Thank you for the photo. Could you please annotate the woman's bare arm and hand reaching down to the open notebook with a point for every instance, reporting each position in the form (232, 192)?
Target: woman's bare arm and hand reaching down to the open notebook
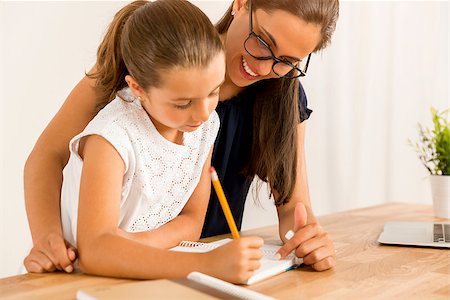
(311, 241)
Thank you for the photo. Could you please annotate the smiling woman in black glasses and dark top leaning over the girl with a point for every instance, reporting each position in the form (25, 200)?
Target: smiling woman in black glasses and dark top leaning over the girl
(262, 105)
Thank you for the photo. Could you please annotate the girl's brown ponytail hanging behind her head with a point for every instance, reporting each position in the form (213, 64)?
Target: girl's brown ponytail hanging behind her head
(110, 69)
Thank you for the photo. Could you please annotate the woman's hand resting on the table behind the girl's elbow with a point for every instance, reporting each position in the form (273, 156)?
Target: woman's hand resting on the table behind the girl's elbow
(51, 254)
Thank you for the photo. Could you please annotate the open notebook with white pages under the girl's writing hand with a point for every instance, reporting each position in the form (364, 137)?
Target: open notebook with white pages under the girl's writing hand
(269, 266)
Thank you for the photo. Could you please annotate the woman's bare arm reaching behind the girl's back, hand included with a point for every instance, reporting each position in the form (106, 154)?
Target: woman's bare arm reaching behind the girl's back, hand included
(43, 179)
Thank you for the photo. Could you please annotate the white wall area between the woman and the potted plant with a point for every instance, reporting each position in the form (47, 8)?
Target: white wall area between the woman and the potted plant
(389, 62)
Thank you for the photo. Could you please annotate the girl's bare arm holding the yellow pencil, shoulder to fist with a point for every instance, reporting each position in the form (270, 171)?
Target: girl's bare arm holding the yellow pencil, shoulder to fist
(105, 251)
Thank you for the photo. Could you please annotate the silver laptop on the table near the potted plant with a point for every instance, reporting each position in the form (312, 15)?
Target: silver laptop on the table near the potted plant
(426, 234)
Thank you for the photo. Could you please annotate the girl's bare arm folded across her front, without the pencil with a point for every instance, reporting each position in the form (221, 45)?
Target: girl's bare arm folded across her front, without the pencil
(188, 224)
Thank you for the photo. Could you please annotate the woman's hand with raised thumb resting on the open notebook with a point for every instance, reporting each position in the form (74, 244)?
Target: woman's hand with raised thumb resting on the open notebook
(310, 242)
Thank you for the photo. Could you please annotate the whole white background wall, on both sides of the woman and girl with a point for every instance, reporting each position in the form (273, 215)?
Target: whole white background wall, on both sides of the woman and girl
(388, 63)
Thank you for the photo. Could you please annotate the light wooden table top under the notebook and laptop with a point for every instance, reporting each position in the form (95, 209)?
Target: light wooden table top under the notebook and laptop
(364, 268)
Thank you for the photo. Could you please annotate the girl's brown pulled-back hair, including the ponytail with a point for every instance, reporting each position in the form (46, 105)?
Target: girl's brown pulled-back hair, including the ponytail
(146, 38)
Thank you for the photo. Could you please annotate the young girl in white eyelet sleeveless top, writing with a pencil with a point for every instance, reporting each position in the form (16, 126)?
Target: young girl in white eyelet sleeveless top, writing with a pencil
(143, 162)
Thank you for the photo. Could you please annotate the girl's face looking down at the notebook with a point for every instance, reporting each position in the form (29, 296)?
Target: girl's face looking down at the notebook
(186, 97)
